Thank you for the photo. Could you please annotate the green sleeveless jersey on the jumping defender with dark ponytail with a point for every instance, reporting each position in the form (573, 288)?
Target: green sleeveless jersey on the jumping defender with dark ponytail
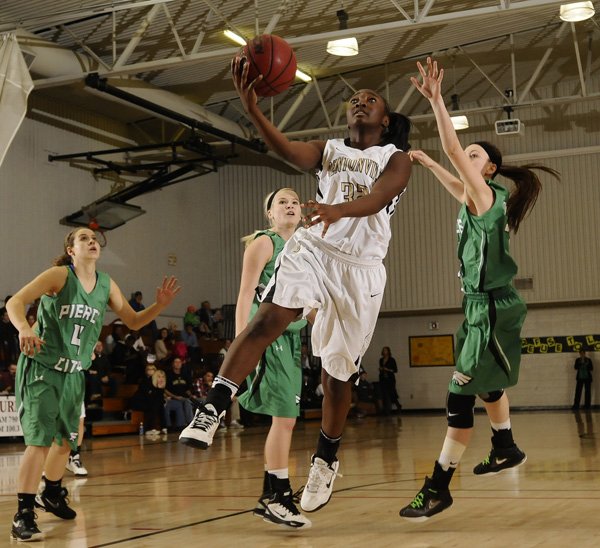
(485, 261)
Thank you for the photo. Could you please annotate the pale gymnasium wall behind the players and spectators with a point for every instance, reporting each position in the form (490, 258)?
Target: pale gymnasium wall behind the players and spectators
(201, 221)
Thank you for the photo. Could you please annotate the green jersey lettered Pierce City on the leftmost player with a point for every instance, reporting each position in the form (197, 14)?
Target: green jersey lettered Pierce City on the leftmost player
(70, 323)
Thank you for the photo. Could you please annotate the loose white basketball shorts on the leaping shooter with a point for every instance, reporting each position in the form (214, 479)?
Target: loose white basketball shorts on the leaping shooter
(346, 291)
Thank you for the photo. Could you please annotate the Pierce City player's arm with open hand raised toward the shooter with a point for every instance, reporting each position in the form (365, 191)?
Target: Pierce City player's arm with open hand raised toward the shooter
(136, 320)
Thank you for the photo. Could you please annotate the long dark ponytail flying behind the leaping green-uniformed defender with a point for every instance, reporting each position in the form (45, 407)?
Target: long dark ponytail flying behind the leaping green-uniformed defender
(527, 189)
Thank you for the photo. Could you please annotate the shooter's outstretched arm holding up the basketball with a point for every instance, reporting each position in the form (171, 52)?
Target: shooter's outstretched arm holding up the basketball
(306, 155)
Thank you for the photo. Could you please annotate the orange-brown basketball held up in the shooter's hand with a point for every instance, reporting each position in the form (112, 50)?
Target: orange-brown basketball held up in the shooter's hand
(275, 59)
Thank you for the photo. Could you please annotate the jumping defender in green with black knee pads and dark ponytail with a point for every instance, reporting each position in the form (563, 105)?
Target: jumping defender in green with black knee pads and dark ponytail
(488, 349)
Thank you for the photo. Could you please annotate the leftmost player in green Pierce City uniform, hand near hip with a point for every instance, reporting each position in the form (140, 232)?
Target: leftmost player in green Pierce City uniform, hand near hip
(50, 382)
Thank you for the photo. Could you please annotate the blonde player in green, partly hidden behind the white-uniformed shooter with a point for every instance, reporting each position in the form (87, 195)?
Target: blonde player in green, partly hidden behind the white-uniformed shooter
(274, 386)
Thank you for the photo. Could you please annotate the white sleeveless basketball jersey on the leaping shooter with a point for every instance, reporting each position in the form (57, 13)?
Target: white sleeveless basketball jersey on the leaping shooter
(347, 174)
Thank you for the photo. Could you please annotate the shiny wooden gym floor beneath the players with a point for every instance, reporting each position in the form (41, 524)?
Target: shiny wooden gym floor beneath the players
(142, 493)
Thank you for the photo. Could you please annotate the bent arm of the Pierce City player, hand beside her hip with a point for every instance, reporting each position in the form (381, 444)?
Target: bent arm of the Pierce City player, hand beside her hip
(49, 282)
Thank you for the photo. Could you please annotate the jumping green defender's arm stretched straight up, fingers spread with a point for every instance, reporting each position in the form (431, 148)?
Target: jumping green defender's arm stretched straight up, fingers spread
(478, 195)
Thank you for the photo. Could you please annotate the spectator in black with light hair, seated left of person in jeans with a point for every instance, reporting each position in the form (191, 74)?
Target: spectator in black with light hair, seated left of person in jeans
(150, 398)
